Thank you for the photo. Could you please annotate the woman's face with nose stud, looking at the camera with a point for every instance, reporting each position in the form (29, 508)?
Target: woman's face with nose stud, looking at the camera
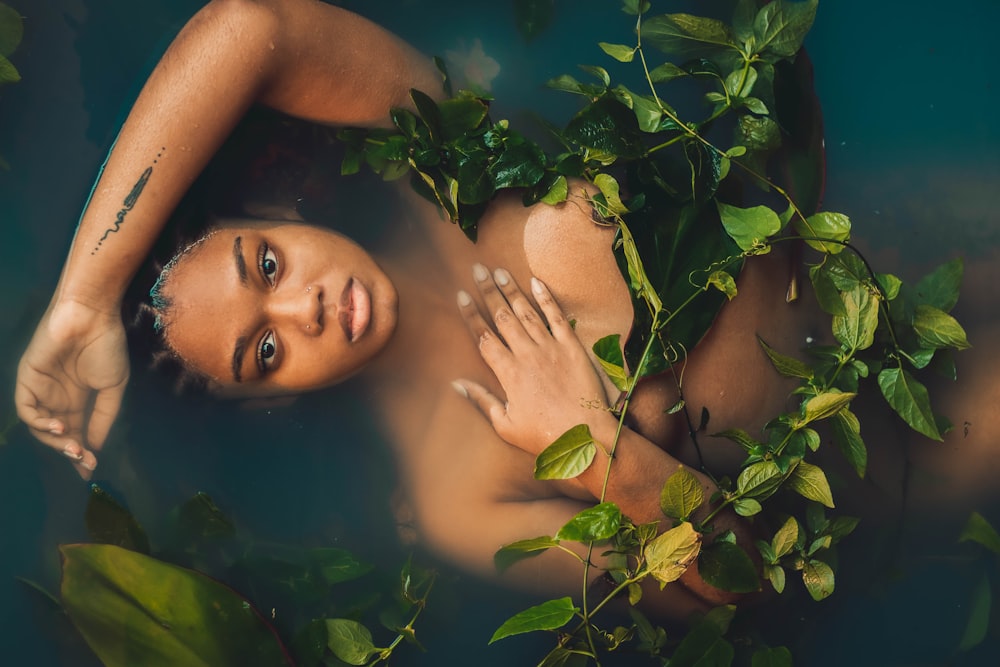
(267, 308)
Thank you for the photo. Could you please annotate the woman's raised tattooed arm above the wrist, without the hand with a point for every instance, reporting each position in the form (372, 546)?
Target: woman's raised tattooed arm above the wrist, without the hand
(301, 57)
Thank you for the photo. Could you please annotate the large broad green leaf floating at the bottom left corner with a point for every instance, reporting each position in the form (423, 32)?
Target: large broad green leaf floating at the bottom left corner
(132, 609)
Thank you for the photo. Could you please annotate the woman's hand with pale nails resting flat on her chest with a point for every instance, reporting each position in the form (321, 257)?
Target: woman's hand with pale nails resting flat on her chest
(547, 376)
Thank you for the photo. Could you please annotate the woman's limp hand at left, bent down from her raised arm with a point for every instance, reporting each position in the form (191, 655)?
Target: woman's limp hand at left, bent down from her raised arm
(71, 379)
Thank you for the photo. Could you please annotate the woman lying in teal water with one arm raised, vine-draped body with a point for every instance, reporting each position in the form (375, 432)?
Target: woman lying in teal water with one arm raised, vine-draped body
(265, 308)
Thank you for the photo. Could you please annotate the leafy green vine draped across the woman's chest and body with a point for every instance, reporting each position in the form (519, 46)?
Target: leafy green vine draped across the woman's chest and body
(684, 231)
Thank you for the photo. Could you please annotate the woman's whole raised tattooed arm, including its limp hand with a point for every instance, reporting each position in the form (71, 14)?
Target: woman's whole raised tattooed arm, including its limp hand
(302, 57)
